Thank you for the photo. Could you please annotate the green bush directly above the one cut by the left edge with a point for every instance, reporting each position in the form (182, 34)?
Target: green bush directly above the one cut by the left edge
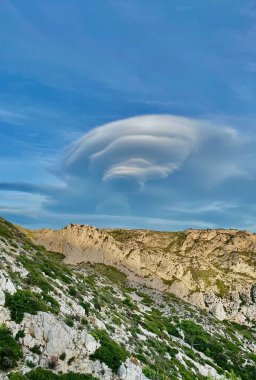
(23, 301)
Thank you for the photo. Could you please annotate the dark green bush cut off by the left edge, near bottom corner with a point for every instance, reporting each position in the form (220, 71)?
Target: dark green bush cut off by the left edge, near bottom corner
(10, 349)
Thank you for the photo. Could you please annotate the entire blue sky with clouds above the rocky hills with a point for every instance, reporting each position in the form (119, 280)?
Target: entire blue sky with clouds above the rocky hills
(128, 113)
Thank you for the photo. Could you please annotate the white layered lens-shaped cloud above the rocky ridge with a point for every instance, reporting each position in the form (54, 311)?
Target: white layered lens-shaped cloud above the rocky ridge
(140, 148)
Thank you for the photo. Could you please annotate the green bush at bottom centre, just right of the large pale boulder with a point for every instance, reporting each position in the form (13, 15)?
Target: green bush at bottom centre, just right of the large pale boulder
(109, 352)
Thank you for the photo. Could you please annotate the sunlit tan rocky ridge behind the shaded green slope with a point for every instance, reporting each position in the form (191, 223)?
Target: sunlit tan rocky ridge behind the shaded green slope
(212, 269)
